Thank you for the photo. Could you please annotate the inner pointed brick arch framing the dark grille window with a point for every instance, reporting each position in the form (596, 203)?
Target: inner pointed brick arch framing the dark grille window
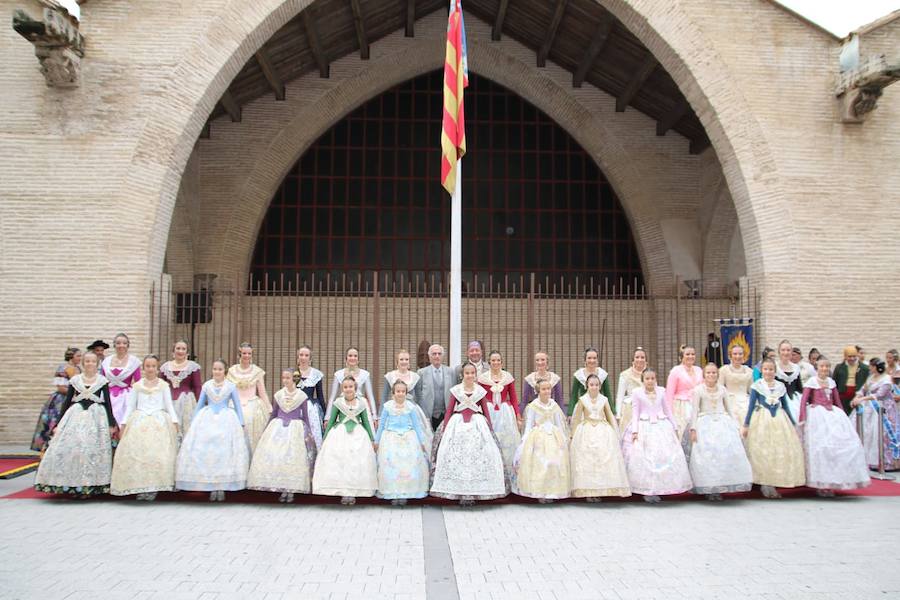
(503, 63)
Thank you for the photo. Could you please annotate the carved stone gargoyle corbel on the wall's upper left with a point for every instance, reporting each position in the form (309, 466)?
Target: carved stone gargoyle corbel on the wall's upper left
(58, 44)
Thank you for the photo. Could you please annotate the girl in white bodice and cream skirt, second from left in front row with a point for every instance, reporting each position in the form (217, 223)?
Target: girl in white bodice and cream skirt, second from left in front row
(145, 458)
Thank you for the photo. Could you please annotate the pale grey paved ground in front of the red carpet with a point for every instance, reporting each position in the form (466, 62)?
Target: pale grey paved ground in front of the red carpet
(791, 549)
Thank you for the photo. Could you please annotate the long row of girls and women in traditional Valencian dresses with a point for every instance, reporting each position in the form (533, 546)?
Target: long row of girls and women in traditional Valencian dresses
(710, 431)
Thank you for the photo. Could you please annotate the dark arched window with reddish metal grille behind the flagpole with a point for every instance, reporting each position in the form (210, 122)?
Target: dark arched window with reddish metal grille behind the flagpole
(365, 198)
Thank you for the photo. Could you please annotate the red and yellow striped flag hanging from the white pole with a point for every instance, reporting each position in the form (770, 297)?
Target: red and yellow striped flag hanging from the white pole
(456, 78)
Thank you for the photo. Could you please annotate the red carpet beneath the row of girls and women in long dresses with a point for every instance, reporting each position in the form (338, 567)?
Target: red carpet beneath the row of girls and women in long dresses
(878, 488)
